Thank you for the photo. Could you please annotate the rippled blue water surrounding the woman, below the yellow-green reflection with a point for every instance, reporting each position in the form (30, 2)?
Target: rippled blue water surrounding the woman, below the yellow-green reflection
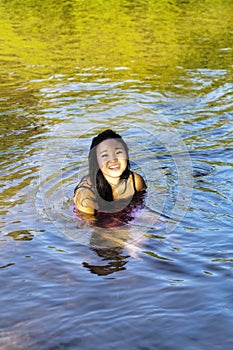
(67, 284)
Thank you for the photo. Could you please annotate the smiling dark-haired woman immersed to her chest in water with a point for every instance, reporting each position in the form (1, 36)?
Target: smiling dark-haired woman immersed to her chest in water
(110, 185)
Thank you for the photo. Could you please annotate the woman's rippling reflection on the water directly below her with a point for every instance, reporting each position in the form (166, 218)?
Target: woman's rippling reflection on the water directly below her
(111, 236)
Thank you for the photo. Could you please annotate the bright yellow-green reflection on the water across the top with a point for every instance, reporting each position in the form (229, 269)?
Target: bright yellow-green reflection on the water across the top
(149, 37)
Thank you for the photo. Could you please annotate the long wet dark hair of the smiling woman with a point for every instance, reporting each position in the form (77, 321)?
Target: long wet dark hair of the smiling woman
(100, 184)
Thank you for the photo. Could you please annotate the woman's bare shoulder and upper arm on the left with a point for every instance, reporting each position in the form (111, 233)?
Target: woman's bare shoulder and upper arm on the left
(84, 198)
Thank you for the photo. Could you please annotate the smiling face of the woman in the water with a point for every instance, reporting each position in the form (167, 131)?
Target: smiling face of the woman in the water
(112, 158)
